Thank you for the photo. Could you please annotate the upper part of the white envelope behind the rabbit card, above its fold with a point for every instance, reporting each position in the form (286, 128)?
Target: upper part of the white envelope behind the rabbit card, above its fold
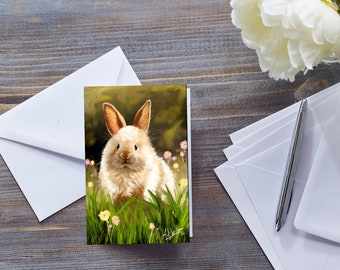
(53, 119)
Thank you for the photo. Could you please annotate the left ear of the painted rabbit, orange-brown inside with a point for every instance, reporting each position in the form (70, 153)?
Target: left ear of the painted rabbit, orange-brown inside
(113, 119)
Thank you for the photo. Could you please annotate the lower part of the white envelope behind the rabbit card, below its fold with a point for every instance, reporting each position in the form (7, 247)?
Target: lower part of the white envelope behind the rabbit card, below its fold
(49, 181)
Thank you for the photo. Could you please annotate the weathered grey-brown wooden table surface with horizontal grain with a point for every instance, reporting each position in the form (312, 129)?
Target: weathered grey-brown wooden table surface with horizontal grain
(166, 42)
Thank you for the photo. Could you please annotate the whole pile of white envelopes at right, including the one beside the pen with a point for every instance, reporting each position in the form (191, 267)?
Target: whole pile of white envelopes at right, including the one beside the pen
(253, 177)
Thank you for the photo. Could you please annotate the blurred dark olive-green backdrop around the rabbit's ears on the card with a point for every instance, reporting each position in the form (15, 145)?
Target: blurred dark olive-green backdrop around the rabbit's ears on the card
(168, 125)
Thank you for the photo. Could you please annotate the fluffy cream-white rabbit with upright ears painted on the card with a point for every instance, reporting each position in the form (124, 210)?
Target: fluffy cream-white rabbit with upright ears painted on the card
(130, 166)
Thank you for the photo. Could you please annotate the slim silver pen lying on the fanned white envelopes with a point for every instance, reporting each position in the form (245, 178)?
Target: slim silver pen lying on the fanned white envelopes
(288, 181)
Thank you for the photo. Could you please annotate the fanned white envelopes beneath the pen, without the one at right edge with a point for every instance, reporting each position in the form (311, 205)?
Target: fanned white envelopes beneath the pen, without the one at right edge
(255, 170)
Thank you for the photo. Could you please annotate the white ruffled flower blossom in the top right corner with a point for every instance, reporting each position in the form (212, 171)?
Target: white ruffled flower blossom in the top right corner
(289, 36)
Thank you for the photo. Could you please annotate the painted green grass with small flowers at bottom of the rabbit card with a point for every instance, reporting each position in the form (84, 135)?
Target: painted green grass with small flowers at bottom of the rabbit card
(134, 221)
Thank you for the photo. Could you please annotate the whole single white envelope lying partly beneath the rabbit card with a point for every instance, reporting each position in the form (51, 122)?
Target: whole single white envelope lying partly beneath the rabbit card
(42, 139)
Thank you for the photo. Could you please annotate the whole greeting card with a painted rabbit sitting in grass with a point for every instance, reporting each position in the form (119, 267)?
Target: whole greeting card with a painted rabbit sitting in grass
(137, 164)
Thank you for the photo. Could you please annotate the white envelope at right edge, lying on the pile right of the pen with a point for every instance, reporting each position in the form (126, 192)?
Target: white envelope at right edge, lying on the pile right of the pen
(318, 212)
